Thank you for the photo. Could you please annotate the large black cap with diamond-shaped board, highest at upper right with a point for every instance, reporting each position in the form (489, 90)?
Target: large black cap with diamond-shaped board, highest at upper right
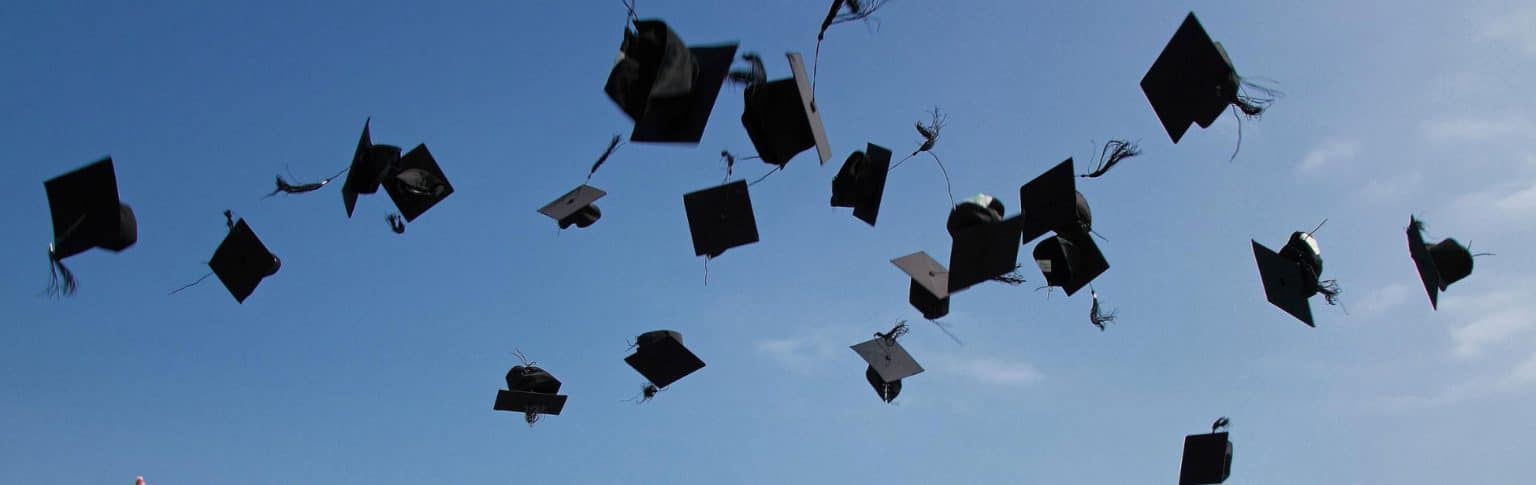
(1191, 82)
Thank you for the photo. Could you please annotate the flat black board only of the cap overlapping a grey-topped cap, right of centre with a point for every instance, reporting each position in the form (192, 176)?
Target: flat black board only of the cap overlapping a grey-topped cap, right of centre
(984, 252)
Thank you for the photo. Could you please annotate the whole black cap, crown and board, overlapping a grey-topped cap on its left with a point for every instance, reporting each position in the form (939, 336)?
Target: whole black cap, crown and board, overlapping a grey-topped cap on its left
(985, 246)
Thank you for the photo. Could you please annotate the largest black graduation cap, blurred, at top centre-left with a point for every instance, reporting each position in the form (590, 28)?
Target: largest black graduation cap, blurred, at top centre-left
(666, 87)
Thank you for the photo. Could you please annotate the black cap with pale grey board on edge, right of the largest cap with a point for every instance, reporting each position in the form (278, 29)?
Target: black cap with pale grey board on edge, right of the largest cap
(783, 120)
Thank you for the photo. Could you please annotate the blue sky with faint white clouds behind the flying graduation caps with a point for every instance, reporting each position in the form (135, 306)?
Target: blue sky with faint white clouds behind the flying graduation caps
(374, 358)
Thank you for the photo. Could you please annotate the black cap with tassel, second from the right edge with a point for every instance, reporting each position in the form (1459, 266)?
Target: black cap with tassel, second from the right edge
(1293, 275)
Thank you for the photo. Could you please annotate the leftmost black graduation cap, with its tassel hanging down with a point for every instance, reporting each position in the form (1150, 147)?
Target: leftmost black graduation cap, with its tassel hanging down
(87, 214)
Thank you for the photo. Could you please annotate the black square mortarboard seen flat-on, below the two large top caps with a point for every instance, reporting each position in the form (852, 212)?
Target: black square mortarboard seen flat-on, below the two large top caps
(721, 219)
